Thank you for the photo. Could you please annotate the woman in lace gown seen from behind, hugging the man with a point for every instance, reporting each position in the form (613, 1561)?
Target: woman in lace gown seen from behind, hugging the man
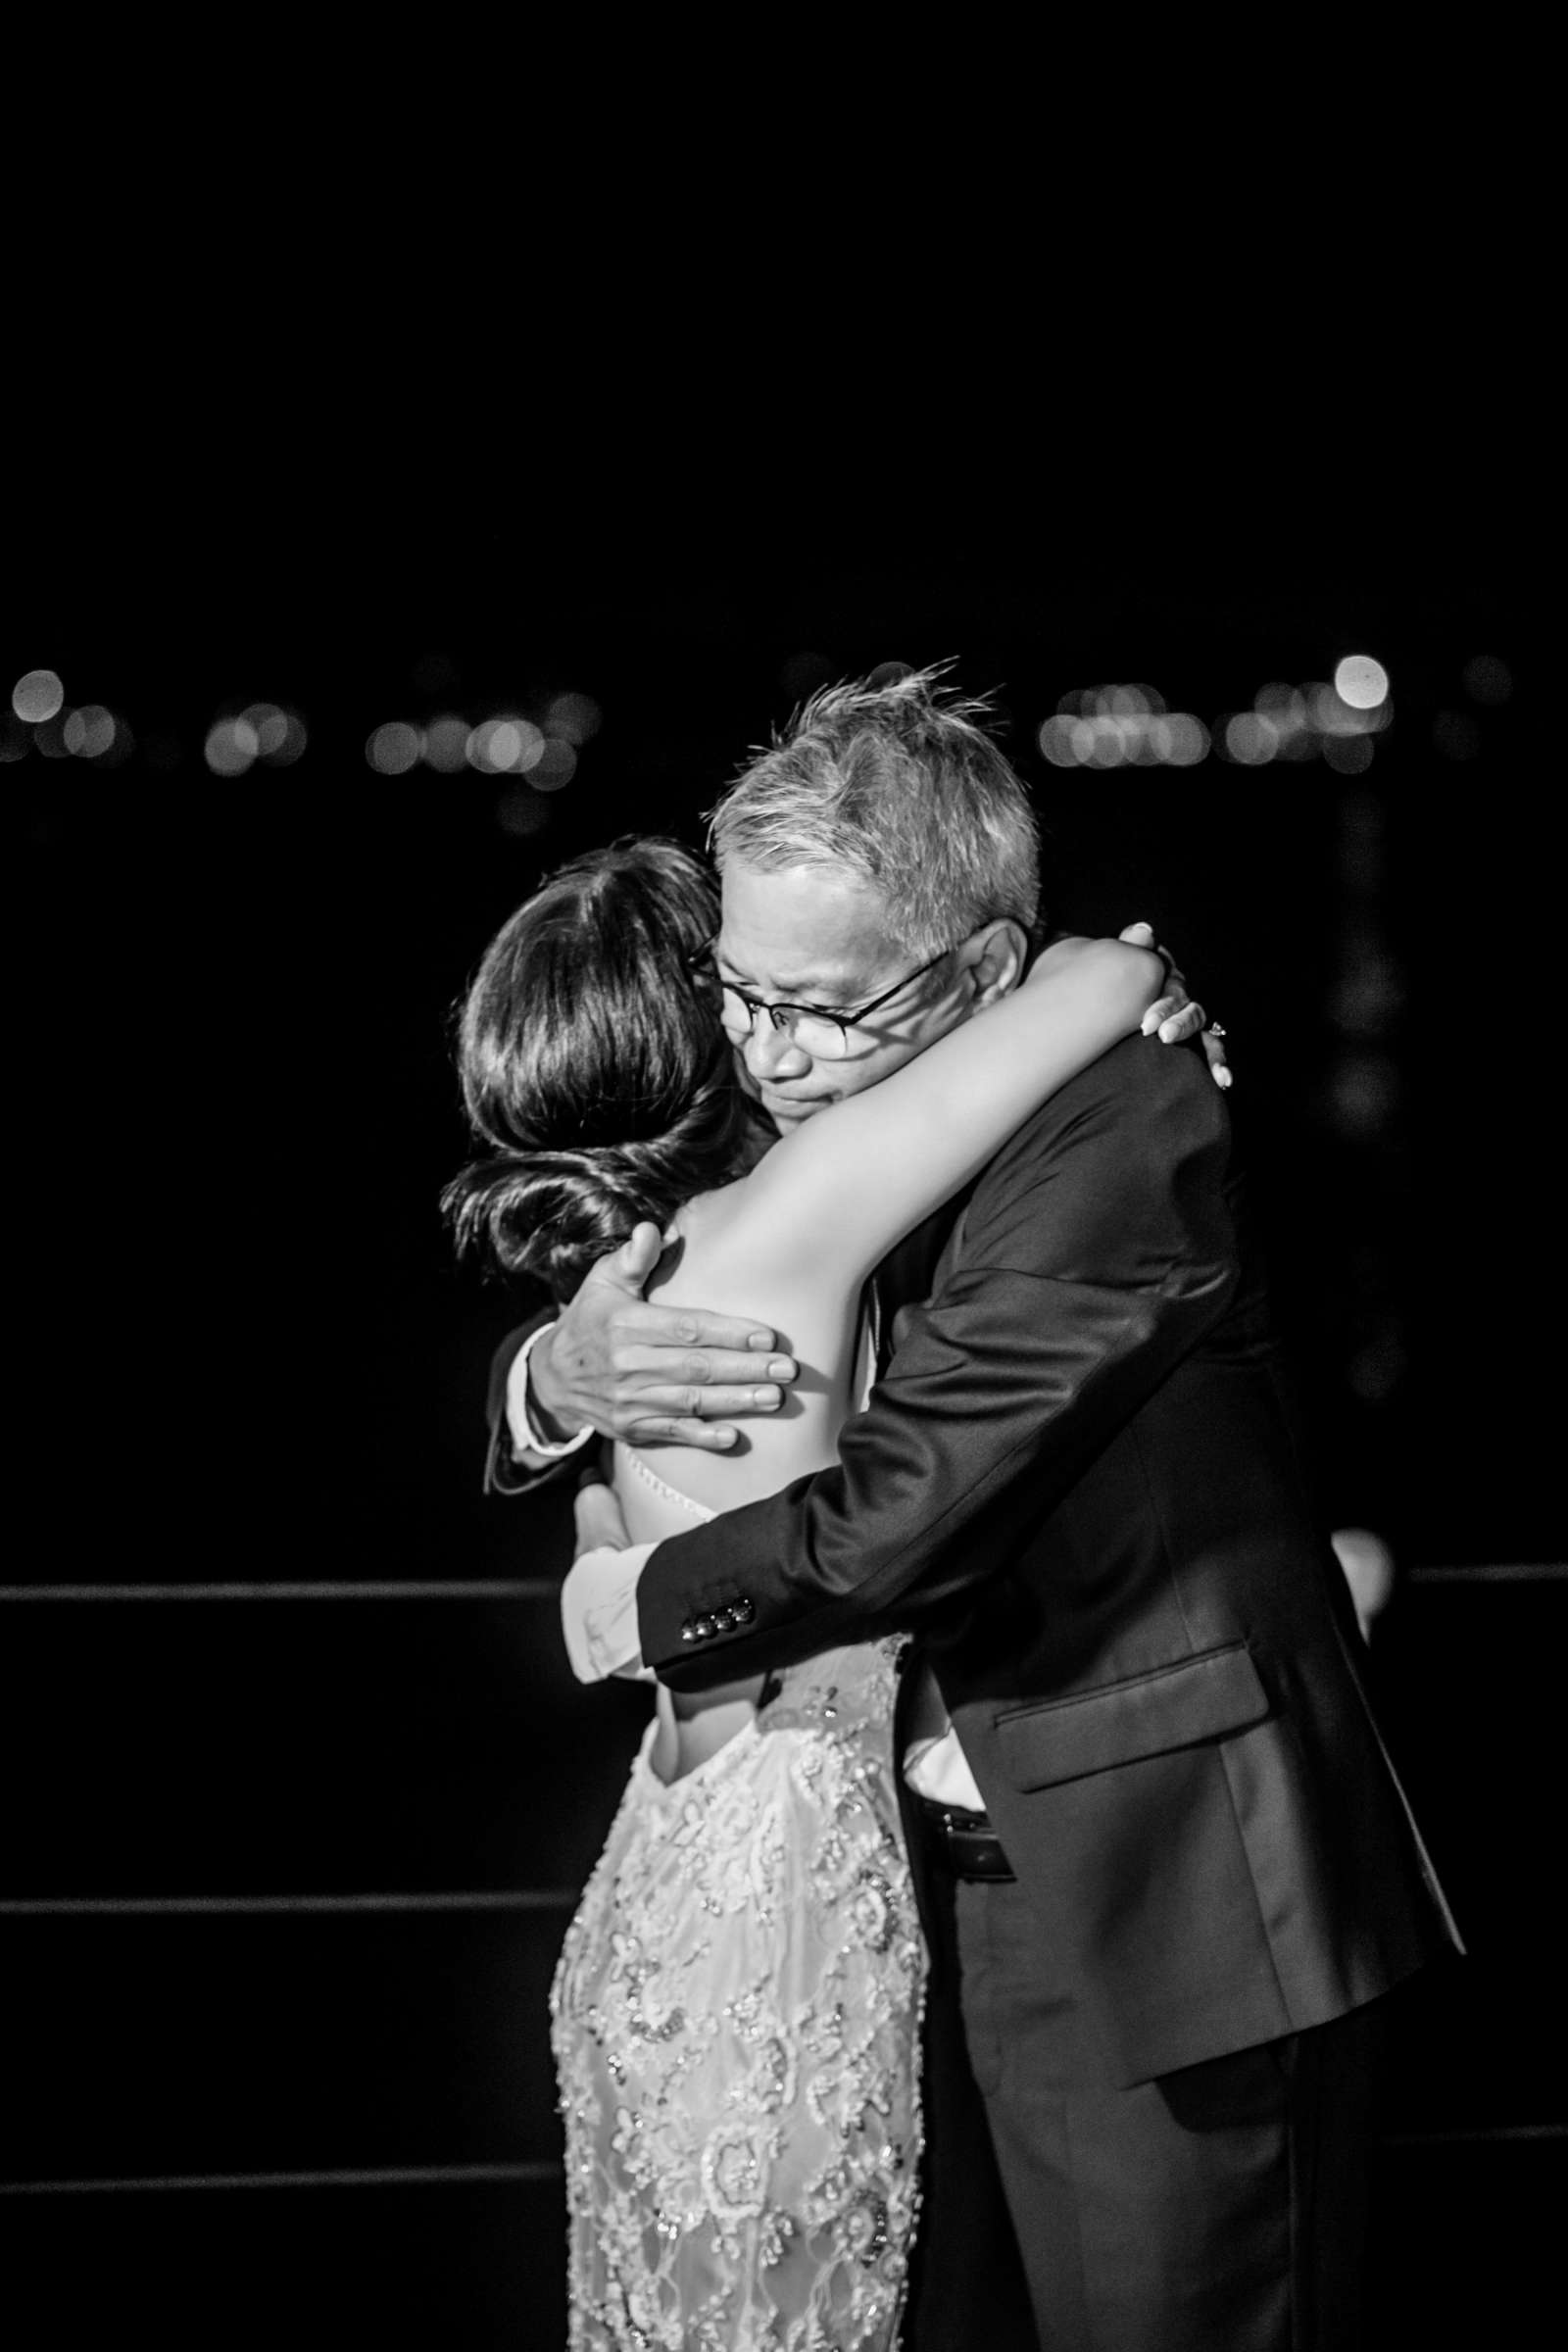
(737, 2007)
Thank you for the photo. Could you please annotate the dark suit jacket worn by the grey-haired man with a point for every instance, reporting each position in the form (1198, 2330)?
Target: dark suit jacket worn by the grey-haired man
(1080, 1481)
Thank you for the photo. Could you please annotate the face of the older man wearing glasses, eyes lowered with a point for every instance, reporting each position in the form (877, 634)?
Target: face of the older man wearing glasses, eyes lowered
(810, 937)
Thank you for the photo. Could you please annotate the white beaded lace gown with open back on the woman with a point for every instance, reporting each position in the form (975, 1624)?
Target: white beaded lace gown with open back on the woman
(737, 2036)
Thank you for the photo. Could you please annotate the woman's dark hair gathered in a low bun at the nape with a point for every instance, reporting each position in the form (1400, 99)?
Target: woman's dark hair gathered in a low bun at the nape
(594, 1064)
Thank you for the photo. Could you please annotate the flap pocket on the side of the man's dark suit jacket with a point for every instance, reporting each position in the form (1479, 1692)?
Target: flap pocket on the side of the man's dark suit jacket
(1177, 1706)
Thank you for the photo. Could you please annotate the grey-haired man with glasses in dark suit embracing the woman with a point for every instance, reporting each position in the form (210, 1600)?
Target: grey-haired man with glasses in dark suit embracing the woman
(1165, 1862)
